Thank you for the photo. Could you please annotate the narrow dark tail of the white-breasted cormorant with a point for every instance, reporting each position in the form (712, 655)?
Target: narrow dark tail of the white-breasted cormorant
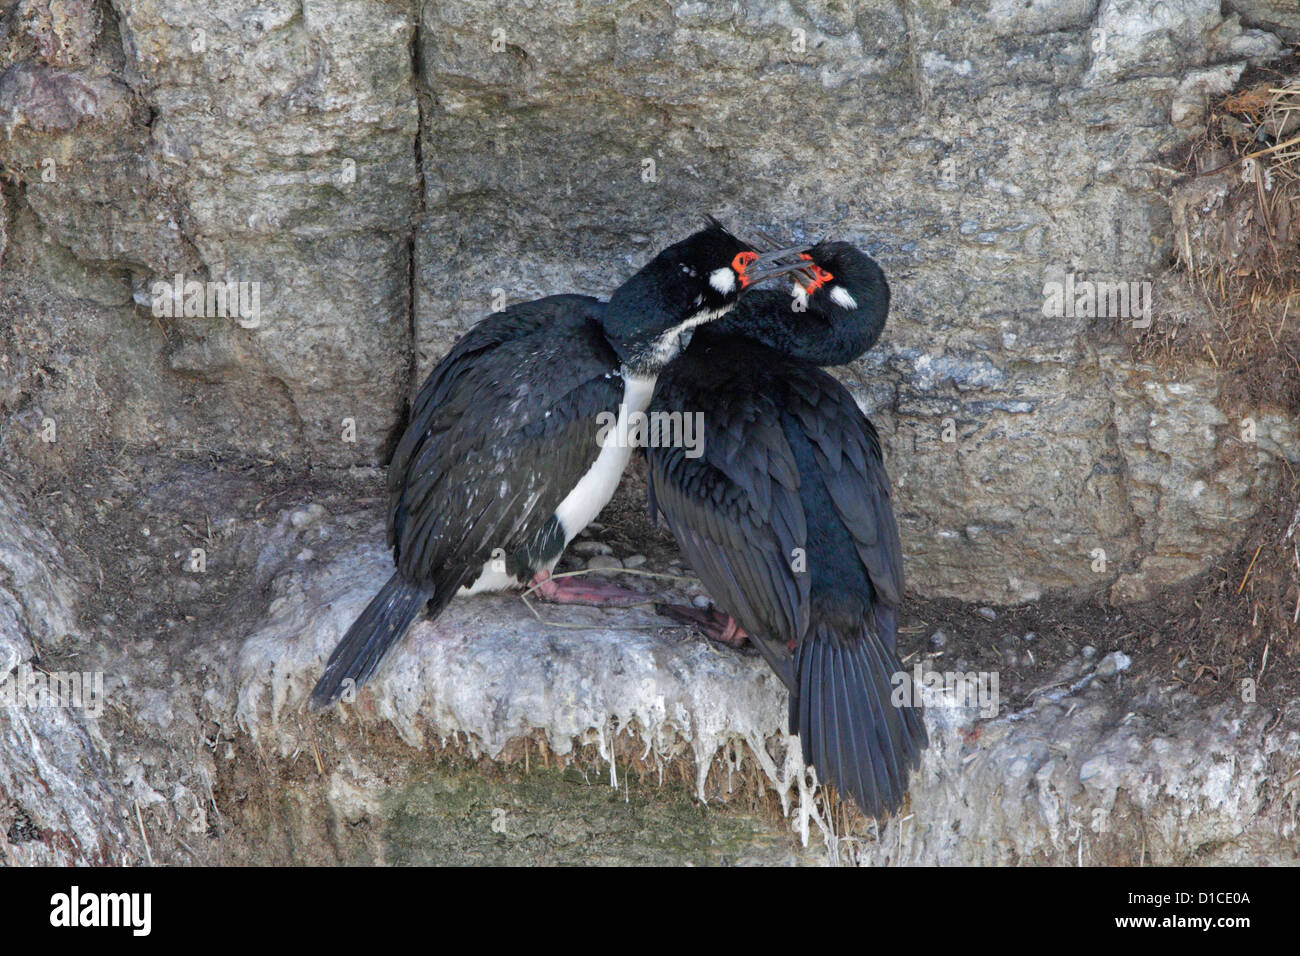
(371, 638)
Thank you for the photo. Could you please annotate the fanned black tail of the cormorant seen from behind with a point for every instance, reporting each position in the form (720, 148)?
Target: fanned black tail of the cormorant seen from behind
(846, 719)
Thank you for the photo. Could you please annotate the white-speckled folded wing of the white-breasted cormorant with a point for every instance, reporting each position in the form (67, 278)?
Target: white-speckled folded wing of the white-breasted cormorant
(465, 478)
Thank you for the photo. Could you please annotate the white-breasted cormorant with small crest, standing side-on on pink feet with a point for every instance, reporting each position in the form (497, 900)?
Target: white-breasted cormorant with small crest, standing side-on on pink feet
(501, 465)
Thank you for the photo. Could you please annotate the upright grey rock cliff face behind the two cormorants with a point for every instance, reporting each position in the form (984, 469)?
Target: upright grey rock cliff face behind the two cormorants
(384, 174)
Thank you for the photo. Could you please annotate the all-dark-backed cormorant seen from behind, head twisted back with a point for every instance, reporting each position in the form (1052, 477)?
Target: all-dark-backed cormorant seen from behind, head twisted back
(787, 520)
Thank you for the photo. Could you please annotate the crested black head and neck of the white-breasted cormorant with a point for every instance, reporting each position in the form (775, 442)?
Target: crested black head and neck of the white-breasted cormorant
(687, 285)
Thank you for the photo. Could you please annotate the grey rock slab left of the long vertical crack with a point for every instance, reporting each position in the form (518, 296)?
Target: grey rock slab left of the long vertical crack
(270, 144)
